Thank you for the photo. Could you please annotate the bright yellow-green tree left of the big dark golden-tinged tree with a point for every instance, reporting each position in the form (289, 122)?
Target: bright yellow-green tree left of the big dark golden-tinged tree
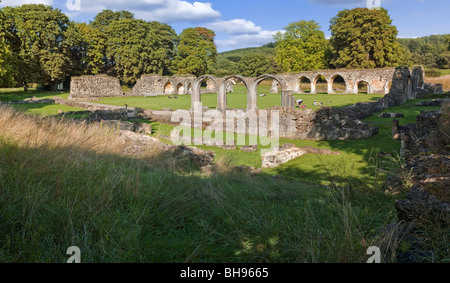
(301, 47)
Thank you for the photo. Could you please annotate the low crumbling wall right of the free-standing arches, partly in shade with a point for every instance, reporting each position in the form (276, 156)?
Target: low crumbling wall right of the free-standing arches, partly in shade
(345, 123)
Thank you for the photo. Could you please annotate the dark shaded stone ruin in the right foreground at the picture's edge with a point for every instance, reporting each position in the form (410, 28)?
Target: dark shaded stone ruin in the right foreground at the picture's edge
(426, 154)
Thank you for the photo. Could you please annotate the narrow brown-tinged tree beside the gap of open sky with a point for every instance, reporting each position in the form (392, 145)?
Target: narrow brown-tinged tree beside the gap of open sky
(196, 52)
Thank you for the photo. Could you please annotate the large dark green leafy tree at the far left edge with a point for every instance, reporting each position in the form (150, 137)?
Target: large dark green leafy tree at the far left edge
(35, 35)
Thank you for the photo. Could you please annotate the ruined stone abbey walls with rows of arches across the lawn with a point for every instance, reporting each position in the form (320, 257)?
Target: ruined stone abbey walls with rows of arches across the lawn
(326, 123)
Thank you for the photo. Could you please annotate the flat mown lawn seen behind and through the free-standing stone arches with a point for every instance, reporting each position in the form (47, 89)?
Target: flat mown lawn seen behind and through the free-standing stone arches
(238, 100)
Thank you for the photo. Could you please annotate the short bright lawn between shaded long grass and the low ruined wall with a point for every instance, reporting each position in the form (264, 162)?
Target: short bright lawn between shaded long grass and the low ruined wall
(358, 160)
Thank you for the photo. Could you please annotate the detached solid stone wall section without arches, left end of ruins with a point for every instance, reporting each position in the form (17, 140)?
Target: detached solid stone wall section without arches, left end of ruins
(95, 86)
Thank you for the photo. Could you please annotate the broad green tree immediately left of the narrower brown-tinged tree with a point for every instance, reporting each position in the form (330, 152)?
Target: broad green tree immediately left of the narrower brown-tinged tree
(137, 47)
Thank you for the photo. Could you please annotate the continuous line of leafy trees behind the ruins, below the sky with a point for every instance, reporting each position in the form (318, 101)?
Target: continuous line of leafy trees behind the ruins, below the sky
(40, 44)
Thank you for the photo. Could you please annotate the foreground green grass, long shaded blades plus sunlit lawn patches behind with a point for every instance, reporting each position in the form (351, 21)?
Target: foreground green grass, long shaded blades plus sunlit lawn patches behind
(122, 209)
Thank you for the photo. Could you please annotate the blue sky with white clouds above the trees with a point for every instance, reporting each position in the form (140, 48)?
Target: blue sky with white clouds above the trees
(252, 23)
